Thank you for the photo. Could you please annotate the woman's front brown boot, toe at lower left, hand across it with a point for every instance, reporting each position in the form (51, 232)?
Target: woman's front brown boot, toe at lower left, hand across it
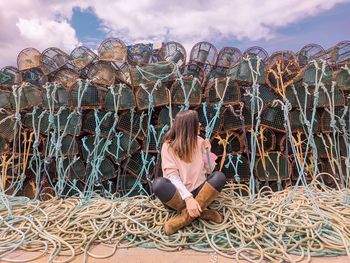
(205, 196)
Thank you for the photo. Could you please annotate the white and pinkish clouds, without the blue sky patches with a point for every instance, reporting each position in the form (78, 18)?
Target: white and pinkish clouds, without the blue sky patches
(41, 23)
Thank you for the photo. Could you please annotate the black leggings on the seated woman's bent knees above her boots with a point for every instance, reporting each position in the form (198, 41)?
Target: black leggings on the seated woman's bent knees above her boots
(164, 189)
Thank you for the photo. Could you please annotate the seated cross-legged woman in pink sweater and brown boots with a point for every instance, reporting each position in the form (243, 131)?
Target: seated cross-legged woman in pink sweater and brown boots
(184, 186)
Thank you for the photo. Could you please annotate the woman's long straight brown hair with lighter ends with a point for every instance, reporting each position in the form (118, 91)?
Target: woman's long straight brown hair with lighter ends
(182, 136)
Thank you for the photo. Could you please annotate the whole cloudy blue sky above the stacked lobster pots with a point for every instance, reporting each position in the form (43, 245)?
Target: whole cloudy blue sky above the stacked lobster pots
(272, 24)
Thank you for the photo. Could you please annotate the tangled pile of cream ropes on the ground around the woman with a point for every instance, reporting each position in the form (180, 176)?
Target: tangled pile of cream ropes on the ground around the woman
(270, 226)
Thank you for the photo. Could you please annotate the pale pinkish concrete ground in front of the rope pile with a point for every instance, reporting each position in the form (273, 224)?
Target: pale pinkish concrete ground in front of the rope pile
(143, 255)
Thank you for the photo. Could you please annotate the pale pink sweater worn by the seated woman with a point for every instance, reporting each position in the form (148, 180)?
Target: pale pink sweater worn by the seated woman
(191, 174)
